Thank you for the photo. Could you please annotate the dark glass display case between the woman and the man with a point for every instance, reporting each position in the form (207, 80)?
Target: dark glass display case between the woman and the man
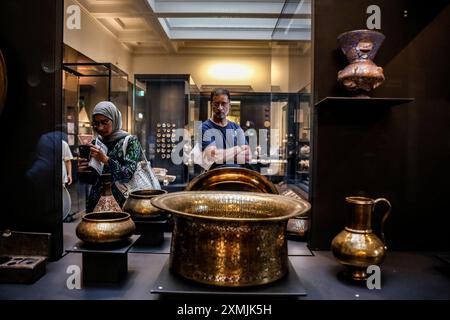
(165, 108)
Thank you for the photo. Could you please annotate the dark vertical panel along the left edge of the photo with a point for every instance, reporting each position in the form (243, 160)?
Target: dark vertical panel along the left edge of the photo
(31, 42)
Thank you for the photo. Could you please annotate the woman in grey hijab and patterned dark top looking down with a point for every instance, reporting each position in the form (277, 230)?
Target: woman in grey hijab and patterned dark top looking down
(107, 123)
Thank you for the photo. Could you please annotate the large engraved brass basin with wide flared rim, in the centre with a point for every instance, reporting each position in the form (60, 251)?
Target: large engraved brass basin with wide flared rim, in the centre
(228, 238)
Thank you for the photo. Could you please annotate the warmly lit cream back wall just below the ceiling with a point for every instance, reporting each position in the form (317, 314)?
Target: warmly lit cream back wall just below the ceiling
(243, 69)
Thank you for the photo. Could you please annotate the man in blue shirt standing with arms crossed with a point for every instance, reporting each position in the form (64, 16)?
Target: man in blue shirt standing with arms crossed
(223, 141)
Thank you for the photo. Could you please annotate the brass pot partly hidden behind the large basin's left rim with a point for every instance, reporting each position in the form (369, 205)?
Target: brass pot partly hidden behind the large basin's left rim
(139, 205)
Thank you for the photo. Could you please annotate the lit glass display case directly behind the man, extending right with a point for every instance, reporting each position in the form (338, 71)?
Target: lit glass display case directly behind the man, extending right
(276, 126)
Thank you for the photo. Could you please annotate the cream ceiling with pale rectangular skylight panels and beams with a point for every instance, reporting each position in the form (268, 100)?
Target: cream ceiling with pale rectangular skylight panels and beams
(178, 26)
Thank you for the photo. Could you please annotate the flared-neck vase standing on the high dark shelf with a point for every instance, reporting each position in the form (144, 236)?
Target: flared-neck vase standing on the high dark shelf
(360, 47)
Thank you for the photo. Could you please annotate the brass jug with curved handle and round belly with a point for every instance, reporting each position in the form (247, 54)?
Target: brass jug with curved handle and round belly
(357, 246)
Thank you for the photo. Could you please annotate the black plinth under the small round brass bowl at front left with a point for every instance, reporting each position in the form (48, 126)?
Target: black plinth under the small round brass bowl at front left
(104, 263)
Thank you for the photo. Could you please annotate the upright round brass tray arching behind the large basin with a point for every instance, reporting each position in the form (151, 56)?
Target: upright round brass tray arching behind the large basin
(232, 179)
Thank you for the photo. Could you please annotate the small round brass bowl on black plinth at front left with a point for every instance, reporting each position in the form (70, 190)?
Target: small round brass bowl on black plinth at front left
(105, 227)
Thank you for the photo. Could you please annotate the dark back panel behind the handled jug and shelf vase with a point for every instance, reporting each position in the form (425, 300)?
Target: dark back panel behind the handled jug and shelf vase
(384, 149)
